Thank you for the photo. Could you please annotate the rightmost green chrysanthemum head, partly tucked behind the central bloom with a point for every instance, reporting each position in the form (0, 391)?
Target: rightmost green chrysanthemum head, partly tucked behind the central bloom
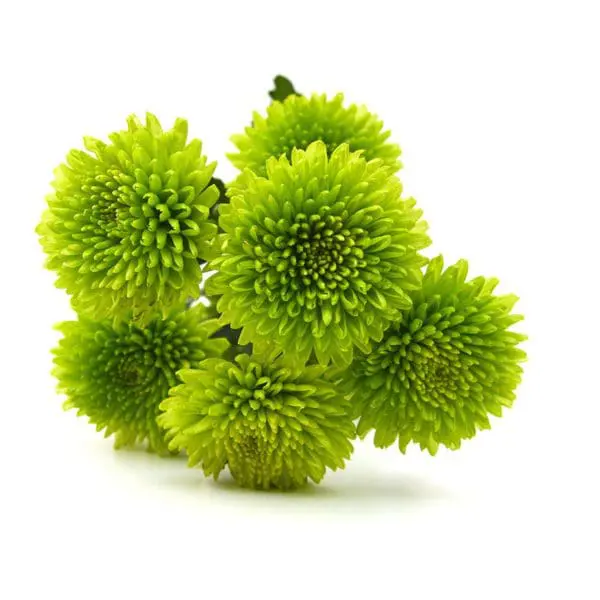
(443, 368)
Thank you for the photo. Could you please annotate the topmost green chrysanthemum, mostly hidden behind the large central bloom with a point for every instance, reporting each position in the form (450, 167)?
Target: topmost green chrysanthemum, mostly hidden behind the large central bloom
(298, 121)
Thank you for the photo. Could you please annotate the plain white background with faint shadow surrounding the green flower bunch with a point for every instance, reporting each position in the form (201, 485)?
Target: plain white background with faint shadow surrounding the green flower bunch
(497, 108)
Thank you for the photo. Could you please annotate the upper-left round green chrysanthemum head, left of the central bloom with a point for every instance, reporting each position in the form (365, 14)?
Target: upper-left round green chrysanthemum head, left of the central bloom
(128, 221)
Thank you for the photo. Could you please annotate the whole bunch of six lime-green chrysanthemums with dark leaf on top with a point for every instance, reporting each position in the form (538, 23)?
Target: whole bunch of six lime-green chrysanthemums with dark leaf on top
(317, 324)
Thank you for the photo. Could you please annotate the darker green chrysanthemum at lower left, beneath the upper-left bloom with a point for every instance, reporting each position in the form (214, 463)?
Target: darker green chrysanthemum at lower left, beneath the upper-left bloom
(117, 374)
